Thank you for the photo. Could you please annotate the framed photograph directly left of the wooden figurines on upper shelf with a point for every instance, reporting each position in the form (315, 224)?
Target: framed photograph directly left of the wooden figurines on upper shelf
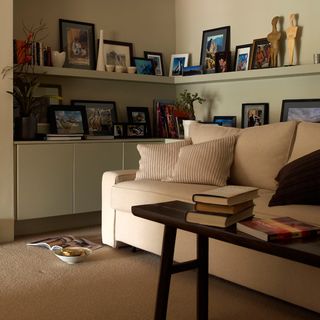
(260, 57)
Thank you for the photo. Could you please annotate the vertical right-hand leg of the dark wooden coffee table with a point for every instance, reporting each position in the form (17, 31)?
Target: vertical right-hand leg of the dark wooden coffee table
(202, 289)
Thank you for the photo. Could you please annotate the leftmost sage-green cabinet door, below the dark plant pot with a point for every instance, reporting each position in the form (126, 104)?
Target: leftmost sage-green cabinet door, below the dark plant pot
(44, 180)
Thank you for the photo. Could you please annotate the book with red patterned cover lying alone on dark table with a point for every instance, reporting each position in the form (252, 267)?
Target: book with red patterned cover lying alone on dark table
(278, 228)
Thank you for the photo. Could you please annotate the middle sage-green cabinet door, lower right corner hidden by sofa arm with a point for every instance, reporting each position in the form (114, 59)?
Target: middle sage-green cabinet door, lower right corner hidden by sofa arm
(91, 161)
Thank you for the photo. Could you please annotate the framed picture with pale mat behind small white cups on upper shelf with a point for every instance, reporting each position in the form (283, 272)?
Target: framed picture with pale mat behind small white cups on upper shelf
(118, 53)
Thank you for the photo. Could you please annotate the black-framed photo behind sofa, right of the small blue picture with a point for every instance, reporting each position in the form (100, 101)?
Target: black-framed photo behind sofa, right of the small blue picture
(254, 114)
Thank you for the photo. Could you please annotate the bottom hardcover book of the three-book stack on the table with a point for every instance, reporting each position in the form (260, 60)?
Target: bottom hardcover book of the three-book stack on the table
(218, 220)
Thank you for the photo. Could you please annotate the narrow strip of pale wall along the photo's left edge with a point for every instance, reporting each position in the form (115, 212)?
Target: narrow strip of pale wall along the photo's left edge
(6, 139)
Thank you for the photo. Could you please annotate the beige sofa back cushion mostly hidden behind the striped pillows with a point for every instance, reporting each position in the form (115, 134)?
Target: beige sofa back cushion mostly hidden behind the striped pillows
(200, 132)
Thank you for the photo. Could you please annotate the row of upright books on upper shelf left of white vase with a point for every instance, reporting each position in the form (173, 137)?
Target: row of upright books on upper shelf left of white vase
(38, 54)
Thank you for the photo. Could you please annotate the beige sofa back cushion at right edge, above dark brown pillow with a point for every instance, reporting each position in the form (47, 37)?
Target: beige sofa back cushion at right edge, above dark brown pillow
(307, 139)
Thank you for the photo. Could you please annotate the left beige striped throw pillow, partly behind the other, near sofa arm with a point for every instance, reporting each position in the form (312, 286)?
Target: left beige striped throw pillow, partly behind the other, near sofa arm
(158, 160)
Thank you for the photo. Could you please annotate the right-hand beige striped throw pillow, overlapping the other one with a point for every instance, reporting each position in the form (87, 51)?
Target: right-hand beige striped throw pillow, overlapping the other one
(205, 163)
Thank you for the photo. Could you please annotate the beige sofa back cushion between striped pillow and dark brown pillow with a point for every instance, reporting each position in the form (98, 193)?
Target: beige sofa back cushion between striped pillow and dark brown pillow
(260, 153)
